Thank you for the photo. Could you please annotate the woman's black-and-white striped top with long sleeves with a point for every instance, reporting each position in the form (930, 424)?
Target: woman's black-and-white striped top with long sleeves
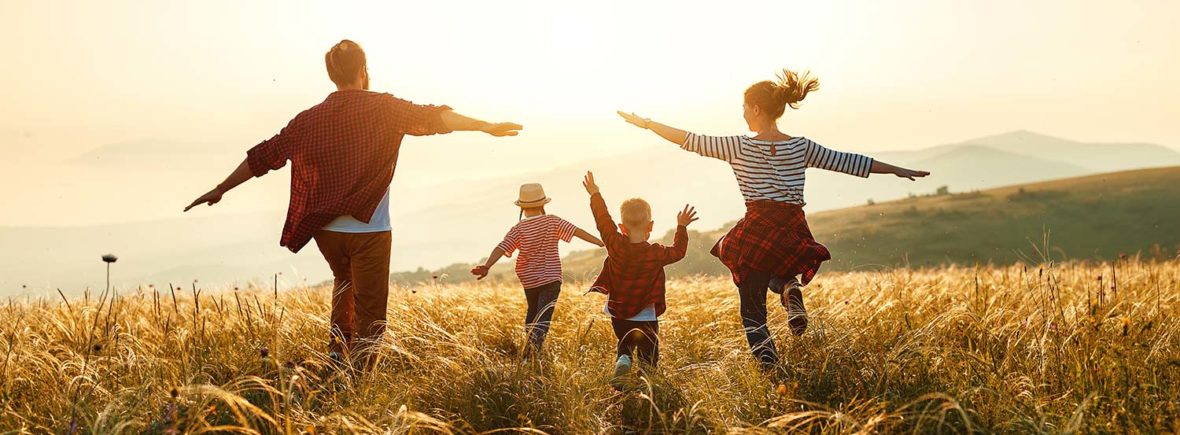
(775, 170)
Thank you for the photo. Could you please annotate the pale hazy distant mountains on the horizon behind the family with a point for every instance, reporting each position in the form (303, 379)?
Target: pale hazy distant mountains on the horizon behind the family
(460, 222)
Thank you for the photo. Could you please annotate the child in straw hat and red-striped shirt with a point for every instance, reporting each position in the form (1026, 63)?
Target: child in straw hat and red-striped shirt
(540, 267)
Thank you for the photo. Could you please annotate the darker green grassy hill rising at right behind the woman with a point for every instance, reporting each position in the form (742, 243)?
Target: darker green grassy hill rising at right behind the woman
(1093, 217)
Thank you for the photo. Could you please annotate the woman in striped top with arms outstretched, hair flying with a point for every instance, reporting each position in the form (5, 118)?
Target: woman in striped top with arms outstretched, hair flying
(772, 247)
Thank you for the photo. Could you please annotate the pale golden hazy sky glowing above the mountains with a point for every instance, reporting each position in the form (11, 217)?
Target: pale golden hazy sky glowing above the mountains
(81, 78)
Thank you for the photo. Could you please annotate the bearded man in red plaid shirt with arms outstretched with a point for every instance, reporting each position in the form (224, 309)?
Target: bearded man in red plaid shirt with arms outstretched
(344, 153)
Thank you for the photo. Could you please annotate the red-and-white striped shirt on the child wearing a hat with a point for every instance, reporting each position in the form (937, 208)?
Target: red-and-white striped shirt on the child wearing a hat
(536, 238)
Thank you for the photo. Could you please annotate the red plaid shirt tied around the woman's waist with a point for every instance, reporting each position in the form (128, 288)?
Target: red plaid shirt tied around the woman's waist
(772, 238)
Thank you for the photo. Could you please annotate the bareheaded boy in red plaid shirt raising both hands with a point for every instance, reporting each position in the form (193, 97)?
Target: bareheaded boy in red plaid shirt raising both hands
(633, 276)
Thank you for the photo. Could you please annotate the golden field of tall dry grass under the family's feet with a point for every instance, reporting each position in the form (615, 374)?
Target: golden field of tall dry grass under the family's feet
(1054, 348)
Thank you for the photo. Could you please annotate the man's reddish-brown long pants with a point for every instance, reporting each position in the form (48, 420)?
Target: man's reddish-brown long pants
(360, 265)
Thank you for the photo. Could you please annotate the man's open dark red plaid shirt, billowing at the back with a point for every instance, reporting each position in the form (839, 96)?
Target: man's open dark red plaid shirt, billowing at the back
(344, 153)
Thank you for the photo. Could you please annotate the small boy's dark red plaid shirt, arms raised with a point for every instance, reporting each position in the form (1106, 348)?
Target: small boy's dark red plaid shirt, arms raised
(633, 275)
